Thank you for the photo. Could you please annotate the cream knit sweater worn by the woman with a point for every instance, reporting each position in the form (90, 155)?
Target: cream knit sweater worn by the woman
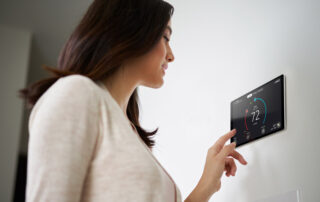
(83, 148)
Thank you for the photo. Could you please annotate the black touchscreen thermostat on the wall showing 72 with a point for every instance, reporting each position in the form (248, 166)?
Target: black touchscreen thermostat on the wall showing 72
(258, 113)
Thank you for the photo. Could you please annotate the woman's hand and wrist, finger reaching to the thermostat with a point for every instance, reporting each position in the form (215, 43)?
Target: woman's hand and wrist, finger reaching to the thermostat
(220, 158)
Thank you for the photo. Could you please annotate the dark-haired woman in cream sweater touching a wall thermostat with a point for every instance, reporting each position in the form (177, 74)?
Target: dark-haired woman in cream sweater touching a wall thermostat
(86, 142)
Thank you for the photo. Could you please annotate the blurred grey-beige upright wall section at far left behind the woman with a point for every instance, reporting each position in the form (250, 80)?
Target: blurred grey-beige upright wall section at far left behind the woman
(14, 59)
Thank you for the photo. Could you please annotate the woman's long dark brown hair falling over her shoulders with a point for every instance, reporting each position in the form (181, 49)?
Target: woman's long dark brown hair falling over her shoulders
(110, 32)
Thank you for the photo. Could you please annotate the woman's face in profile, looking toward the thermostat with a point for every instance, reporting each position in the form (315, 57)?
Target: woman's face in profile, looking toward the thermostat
(150, 68)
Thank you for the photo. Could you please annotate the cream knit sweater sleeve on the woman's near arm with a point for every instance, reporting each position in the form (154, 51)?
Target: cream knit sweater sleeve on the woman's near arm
(63, 128)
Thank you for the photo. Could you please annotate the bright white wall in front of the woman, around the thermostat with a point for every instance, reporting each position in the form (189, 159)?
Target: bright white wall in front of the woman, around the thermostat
(224, 49)
